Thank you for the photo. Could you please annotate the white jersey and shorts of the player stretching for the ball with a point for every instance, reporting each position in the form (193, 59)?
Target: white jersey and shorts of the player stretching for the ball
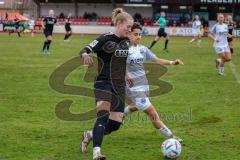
(139, 92)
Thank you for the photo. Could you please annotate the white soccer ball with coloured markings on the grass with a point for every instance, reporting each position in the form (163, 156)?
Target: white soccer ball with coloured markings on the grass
(171, 148)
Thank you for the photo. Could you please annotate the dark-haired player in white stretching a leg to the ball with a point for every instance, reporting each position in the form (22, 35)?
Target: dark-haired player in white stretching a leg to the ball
(138, 87)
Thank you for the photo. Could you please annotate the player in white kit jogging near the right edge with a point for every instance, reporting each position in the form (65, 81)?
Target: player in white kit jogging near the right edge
(219, 33)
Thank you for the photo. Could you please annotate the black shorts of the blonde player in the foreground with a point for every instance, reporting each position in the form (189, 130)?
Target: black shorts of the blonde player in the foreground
(105, 91)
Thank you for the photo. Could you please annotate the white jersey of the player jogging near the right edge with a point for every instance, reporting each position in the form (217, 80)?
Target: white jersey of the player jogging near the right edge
(220, 31)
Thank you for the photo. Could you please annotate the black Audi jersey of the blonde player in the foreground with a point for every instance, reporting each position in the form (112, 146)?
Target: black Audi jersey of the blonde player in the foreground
(112, 53)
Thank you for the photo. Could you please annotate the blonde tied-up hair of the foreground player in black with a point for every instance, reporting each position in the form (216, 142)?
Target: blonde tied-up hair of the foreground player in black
(119, 14)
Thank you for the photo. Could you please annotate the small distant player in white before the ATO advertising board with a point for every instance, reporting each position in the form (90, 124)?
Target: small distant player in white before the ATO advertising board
(196, 29)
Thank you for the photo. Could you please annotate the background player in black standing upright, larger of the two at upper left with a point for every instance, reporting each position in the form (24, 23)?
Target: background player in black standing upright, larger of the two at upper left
(48, 24)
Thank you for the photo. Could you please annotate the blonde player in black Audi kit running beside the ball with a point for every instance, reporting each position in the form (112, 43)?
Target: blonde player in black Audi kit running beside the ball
(109, 87)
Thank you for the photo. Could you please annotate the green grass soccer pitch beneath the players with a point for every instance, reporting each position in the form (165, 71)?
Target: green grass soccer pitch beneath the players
(203, 108)
